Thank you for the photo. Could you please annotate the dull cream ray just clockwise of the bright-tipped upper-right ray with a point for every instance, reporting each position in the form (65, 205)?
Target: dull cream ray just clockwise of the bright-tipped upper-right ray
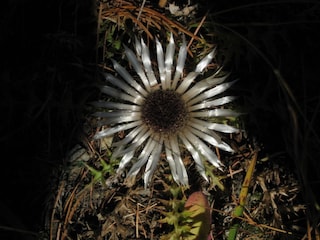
(202, 85)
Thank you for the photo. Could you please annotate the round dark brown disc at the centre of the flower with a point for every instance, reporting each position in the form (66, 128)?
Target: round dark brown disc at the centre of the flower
(164, 111)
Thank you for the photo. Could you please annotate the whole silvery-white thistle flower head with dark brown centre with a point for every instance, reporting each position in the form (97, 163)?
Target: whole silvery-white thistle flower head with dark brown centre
(166, 113)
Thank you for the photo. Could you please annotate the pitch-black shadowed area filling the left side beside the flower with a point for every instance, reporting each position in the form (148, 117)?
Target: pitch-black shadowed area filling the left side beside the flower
(47, 75)
